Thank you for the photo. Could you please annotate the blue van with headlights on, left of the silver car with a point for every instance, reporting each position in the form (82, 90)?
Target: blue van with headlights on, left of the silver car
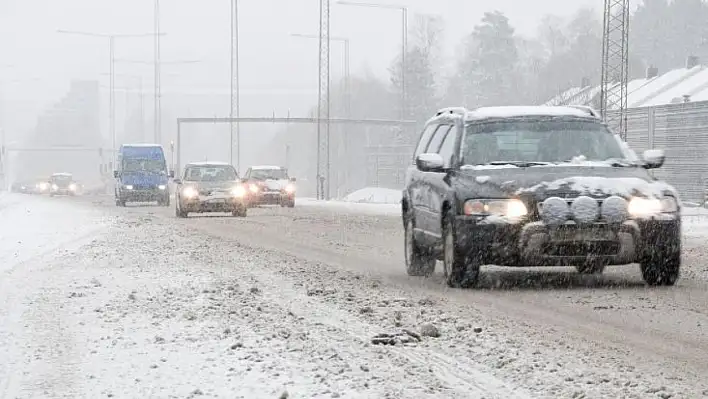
(142, 175)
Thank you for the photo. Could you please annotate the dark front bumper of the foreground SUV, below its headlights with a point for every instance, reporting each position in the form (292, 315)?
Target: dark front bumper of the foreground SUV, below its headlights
(535, 244)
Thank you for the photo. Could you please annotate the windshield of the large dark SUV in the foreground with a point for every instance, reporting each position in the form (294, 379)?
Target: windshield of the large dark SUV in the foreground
(539, 142)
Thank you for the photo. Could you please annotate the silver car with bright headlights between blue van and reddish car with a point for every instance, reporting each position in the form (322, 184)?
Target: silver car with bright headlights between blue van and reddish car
(210, 187)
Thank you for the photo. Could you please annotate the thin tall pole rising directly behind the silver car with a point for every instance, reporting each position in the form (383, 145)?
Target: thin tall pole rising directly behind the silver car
(235, 88)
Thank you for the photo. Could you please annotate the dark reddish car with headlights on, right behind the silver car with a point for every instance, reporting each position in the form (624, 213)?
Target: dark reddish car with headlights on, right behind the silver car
(270, 185)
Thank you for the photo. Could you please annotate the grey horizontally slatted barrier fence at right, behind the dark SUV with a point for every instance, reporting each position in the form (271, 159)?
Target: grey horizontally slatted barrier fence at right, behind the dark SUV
(682, 131)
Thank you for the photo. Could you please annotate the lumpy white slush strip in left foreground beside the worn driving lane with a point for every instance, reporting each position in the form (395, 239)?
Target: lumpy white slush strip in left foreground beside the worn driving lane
(148, 310)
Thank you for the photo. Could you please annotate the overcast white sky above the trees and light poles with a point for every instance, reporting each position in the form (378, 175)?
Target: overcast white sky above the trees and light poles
(36, 63)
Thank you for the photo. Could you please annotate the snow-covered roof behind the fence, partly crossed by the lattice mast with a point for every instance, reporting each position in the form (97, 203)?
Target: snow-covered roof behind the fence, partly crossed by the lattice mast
(667, 88)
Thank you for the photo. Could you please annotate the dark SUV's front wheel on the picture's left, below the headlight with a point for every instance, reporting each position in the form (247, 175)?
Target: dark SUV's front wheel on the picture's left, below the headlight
(459, 272)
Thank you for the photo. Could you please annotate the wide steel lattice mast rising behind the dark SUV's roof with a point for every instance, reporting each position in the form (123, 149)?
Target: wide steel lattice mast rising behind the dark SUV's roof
(615, 65)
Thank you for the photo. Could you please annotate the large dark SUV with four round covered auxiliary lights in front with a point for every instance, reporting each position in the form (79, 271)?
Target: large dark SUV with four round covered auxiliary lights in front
(535, 186)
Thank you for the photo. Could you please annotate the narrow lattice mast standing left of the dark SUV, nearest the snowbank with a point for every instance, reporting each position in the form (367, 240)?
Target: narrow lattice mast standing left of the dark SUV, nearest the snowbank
(323, 153)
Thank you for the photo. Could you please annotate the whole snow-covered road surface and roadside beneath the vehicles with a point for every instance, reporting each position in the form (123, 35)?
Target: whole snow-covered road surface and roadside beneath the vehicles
(295, 300)
